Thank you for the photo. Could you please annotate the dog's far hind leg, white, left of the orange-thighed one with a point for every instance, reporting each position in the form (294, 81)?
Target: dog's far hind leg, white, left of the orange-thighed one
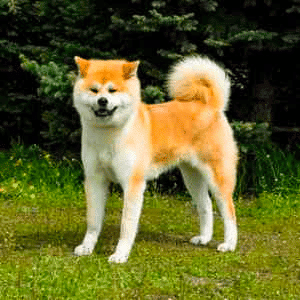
(198, 188)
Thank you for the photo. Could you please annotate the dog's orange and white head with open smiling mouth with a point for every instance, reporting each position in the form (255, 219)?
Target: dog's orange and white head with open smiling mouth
(106, 92)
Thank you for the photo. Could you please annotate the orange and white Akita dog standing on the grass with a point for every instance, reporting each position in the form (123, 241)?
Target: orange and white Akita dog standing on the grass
(129, 142)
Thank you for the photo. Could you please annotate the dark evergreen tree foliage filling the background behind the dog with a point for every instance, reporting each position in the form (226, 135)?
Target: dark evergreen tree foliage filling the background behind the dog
(256, 41)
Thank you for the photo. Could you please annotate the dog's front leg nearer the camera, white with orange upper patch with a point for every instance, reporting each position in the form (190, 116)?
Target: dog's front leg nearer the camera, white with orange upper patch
(133, 202)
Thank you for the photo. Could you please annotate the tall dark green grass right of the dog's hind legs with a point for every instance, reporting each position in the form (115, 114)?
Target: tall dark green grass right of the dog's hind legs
(267, 168)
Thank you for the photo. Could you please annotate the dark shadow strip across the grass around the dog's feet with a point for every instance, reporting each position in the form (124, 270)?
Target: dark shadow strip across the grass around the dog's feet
(38, 236)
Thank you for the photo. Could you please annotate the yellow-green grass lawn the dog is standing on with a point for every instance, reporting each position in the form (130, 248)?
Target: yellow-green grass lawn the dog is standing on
(42, 219)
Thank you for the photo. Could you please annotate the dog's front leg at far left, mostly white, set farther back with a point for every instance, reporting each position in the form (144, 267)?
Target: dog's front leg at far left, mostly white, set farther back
(96, 188)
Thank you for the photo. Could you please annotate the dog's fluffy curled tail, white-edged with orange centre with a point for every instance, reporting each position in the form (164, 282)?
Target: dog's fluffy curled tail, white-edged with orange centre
(198, 78)
